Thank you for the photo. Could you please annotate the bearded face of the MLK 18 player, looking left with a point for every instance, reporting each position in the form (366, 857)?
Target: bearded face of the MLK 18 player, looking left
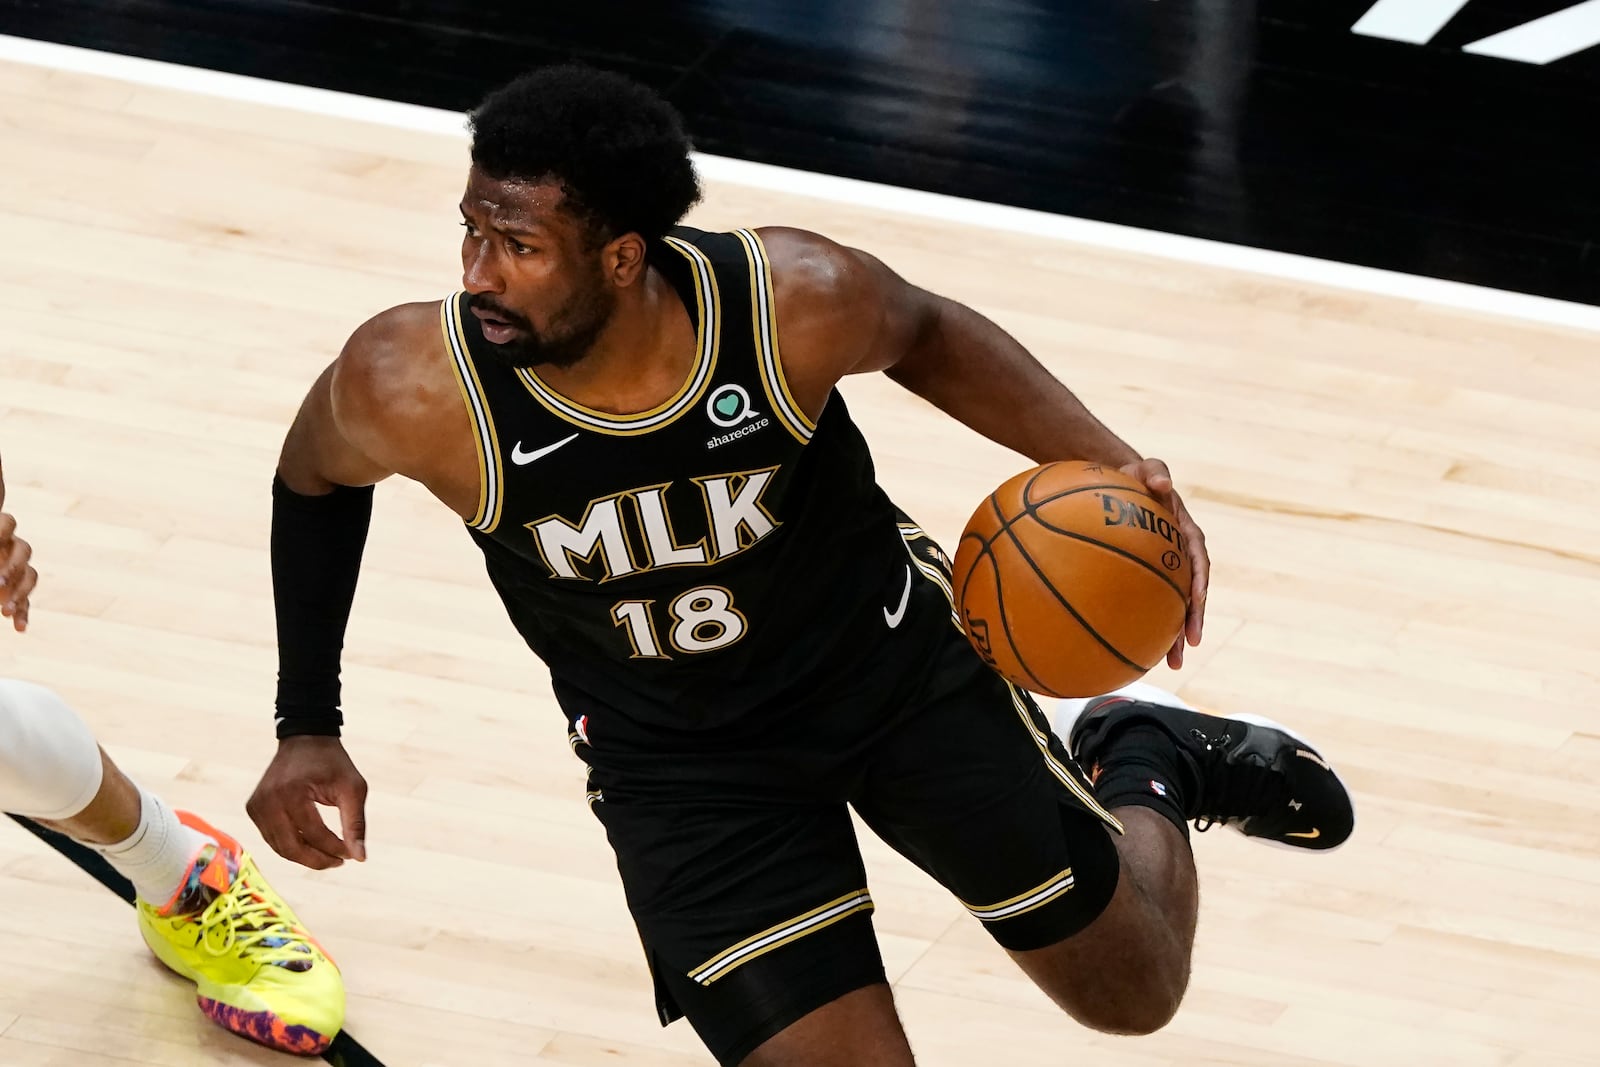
(534, 273)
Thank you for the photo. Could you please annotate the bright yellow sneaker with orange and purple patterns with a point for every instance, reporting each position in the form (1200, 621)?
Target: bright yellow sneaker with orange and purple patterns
(258, 972)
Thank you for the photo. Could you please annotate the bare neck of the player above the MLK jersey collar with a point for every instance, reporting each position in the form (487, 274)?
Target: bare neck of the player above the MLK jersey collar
(641, 359)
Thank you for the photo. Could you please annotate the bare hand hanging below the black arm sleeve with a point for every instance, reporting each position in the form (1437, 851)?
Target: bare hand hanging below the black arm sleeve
(305, 773)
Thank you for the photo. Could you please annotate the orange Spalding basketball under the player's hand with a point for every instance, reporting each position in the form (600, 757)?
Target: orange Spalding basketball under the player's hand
(1073, 580)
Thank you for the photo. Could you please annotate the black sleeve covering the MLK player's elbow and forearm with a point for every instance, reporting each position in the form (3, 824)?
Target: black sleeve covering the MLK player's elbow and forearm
(316, 557)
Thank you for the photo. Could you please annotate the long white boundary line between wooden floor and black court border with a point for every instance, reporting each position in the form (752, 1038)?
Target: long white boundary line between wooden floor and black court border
(1393, 284)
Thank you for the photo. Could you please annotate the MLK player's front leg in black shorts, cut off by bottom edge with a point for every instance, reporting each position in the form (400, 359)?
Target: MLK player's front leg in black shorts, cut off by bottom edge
(756, 922)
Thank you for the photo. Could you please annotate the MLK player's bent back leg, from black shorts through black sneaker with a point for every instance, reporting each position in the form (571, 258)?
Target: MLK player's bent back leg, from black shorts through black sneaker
(983, 796)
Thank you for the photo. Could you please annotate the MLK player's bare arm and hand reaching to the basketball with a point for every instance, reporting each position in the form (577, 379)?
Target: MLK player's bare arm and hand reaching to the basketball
(841, 313)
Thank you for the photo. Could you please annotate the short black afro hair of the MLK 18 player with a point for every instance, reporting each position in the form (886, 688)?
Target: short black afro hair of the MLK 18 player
(617, 150)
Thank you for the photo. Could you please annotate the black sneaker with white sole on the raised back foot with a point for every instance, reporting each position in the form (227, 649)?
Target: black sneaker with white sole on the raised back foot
(1247, 773)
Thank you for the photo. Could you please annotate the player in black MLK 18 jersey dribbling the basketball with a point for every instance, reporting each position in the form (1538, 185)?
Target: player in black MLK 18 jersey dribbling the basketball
(639, 426)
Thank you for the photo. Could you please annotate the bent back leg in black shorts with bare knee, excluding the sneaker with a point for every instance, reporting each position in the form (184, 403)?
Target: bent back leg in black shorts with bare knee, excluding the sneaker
(980, 794)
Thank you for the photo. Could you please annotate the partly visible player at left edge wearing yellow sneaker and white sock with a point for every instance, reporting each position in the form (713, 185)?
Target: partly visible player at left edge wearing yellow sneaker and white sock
(202, 905)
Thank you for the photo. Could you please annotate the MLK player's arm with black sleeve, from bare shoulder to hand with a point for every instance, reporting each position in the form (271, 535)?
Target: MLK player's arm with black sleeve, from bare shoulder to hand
(350, 434)
